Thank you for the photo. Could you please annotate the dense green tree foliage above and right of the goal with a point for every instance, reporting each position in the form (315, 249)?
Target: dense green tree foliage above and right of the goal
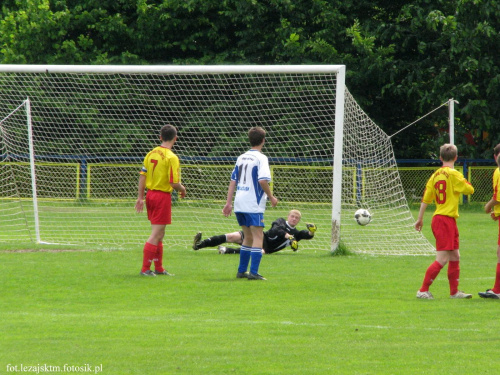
(404, 59)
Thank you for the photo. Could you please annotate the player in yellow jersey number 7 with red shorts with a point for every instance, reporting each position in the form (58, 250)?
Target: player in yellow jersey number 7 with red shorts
(160, 175)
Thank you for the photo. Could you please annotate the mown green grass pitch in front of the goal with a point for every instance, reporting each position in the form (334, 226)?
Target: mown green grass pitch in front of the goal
(316, 314)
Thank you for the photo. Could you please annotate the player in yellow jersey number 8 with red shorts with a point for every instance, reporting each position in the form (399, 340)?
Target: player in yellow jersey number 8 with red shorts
(444, 188)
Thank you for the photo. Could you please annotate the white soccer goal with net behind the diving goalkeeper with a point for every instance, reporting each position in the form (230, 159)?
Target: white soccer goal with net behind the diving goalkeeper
(74, 137)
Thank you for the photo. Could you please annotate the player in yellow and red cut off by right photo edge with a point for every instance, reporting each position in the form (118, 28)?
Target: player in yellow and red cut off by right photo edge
(493, 209)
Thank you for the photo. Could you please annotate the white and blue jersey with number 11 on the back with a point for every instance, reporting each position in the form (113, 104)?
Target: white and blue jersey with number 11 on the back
(251, 167)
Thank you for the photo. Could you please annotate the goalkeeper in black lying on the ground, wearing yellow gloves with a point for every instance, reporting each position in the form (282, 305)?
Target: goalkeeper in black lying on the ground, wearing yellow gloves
(283, 233)
